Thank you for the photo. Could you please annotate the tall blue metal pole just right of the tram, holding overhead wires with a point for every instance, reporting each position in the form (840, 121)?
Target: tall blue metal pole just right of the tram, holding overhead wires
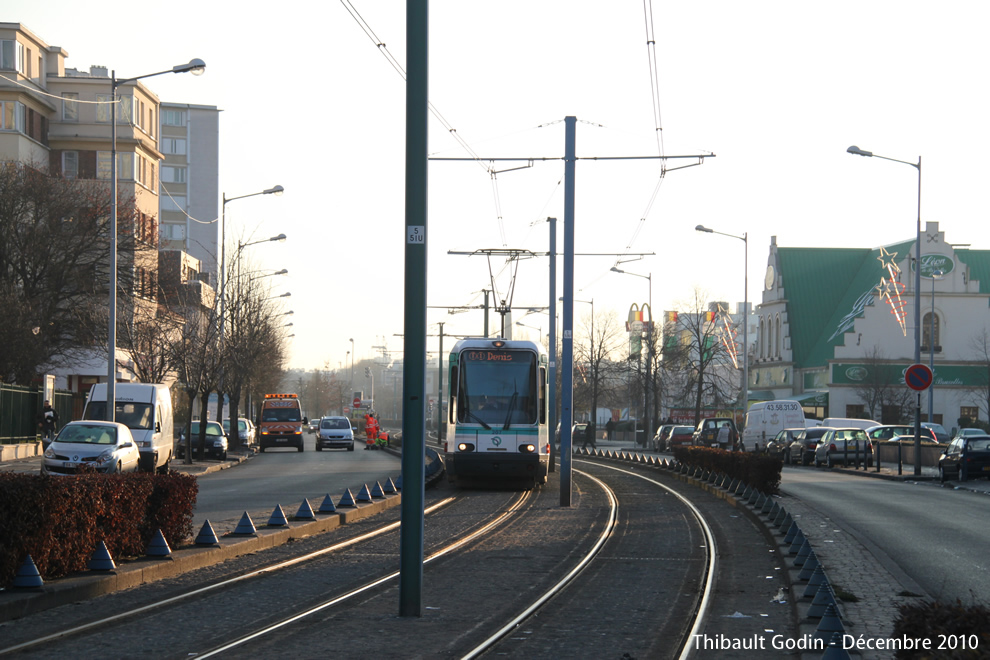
(567, 341)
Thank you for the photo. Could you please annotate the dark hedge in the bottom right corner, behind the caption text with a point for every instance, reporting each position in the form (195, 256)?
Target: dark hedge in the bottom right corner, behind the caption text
(963, 629)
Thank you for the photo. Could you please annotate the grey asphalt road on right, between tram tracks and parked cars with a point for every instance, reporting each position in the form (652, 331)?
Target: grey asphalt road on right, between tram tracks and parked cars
(937, 535)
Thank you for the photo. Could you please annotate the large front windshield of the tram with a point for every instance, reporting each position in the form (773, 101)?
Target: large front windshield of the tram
(497, 387)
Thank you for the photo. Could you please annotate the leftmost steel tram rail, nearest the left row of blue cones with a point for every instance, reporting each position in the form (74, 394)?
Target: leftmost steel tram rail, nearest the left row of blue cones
(218, 585)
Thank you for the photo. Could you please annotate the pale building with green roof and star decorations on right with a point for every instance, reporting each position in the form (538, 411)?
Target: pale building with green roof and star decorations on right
(836, 330)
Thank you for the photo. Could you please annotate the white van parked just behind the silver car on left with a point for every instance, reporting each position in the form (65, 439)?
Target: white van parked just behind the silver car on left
(146, 409)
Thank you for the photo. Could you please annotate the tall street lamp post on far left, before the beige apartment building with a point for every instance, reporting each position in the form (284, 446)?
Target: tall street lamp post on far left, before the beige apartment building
(195, 67)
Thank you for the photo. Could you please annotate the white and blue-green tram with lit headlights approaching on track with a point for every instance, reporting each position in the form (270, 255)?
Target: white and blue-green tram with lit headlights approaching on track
(497, 413)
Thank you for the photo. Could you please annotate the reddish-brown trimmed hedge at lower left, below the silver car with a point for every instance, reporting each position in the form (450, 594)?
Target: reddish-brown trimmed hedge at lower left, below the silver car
(59, 521)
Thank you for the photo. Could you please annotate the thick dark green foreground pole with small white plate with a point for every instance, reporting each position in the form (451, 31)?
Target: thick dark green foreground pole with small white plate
(414, 340)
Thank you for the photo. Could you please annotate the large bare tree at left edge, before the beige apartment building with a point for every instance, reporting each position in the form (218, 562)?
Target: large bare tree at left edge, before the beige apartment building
(53, 267)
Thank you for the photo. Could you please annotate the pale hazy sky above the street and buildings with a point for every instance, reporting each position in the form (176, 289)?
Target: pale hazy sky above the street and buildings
(776, 90)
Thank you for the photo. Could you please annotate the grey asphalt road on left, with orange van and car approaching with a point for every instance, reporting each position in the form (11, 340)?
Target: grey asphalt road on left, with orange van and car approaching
(284, 477)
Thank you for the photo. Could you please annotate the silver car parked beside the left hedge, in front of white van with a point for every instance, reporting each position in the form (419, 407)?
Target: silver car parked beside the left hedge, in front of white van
(106, 447)
